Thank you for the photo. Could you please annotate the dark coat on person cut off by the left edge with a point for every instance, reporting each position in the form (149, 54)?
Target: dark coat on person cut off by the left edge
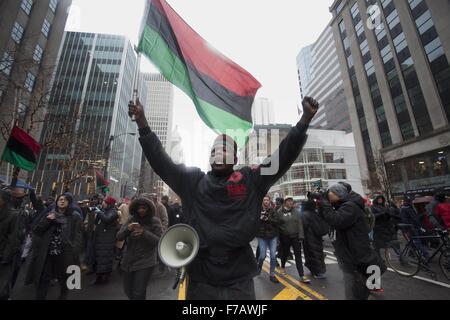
(9, 245)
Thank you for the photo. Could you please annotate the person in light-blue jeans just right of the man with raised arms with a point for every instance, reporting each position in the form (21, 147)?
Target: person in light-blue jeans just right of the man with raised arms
(268, 237)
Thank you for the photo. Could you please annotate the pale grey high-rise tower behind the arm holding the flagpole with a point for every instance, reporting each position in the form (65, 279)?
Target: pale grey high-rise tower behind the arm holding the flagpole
(159, 113)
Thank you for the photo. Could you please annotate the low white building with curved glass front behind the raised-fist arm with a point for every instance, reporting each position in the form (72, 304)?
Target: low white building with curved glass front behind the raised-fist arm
(328, 157)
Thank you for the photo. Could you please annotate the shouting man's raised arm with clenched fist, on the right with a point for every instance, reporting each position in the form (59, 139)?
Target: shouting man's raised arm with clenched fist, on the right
(289, 149)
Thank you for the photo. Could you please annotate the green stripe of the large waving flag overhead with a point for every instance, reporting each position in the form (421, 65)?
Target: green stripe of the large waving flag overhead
(175, 71)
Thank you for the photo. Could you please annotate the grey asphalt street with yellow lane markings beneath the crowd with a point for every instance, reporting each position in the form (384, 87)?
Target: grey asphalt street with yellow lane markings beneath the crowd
(160, 288)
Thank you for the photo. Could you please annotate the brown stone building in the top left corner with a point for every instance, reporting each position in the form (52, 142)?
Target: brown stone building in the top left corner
(30, 37)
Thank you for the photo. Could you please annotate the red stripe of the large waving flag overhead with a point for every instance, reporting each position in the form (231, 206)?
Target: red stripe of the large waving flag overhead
(205, 58)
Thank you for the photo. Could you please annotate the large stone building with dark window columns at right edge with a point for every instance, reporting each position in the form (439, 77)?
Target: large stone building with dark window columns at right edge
(394, 57)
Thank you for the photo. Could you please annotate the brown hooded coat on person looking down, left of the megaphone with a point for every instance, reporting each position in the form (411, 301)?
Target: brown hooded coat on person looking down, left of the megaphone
(140, 251)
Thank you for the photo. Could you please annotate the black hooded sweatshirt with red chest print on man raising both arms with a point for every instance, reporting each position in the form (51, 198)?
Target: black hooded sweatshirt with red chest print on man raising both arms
(225, 211)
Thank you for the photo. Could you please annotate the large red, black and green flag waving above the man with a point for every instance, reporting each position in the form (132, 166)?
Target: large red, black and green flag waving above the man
(222, 91)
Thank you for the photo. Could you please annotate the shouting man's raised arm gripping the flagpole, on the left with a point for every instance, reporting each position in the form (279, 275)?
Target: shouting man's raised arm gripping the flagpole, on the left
(176, 176)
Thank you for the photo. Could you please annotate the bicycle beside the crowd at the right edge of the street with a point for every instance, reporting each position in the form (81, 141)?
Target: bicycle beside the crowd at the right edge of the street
(407, 259)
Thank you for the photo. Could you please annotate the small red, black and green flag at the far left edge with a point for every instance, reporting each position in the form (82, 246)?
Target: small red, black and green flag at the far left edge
(22, 150)
